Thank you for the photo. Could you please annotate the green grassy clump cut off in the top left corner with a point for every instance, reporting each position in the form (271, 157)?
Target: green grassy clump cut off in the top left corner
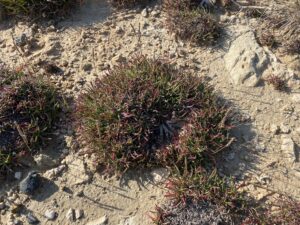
(38, 8)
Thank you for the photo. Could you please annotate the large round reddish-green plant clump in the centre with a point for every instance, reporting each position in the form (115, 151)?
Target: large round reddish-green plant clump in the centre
(147, 113)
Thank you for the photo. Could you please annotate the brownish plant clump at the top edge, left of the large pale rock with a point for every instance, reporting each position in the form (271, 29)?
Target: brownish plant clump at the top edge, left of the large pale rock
(191, 22)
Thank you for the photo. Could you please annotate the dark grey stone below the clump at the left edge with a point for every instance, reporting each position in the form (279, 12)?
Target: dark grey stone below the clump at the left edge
(30, 183)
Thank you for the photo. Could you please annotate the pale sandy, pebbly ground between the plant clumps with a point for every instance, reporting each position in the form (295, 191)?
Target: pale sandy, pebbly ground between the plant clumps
(96, 39)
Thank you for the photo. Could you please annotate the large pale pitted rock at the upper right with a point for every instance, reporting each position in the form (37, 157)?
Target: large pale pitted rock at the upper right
(246, 60)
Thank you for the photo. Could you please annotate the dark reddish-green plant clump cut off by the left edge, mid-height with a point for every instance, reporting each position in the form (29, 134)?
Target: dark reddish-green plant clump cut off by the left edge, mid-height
(29, 107)
